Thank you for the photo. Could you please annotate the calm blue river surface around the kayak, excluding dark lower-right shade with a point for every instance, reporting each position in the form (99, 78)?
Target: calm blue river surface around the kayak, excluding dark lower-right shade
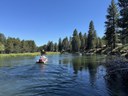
(63, 75)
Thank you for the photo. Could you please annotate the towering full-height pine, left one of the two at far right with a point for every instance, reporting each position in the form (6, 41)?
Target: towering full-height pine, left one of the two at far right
(111, 25)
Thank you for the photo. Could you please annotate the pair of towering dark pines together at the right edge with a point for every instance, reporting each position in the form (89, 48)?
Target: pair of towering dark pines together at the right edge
(116, 24)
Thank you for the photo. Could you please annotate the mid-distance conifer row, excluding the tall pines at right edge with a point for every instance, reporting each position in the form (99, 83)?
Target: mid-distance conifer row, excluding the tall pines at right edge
(78, 42)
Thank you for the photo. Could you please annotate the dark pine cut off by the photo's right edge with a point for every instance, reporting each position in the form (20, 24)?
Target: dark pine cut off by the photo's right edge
(123, 20)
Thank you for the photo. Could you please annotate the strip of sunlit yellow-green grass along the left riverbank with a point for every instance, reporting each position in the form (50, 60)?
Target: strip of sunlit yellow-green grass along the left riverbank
(26, 54)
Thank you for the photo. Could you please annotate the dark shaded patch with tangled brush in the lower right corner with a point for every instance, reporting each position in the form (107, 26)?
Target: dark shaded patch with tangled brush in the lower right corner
(116, 77)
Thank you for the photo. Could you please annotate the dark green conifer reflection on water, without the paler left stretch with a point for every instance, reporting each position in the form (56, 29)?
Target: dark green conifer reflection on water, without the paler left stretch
(88, 63)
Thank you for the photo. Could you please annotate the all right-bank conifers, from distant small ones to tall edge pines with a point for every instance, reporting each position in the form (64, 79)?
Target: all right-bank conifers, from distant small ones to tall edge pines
(116, 32)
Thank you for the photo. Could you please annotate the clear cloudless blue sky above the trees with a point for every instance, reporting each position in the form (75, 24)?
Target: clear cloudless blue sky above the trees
(48, 20)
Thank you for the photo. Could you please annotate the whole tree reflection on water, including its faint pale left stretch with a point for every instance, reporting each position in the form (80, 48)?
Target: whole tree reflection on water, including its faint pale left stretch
(82, 63)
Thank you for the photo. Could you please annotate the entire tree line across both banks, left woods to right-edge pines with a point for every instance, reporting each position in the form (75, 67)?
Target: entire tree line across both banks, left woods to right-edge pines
(116, 32)
